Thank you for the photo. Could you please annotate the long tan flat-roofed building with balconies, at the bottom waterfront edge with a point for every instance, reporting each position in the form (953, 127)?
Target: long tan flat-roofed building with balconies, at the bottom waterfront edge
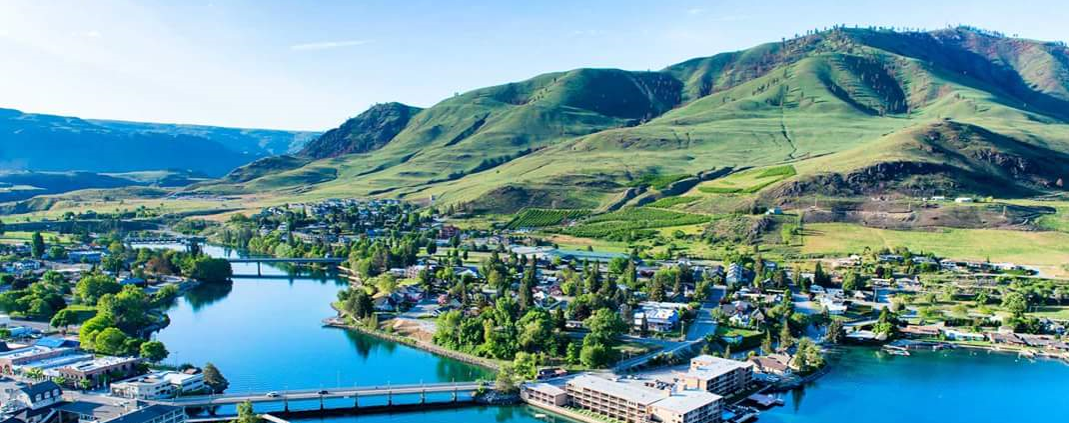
(633, 402)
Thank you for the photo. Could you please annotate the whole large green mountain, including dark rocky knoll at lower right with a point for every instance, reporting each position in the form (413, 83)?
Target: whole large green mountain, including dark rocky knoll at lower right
(853, 112)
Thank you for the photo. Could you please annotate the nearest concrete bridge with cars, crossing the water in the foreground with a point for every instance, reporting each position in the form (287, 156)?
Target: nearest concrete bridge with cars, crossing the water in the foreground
(354, 394)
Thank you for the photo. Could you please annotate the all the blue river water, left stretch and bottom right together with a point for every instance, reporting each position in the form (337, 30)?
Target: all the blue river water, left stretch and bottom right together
(266, 334)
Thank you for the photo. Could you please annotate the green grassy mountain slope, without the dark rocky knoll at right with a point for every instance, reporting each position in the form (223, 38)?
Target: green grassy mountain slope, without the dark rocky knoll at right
(843, 91)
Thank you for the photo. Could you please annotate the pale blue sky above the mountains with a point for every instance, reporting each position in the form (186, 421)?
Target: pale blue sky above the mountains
(312, 65)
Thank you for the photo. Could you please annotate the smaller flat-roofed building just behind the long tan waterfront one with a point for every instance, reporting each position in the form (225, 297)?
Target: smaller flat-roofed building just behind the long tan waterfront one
(718, 375)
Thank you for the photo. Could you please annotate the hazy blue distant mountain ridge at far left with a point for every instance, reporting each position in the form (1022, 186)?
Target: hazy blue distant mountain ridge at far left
(51, 144)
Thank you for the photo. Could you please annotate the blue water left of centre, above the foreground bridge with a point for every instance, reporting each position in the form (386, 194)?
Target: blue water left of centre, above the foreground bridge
(267, 334)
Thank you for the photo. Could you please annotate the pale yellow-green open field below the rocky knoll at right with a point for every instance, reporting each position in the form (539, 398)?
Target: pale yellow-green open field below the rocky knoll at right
(1050, 249)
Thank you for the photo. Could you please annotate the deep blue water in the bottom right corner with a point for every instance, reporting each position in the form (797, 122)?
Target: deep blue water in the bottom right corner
(958, 386)
